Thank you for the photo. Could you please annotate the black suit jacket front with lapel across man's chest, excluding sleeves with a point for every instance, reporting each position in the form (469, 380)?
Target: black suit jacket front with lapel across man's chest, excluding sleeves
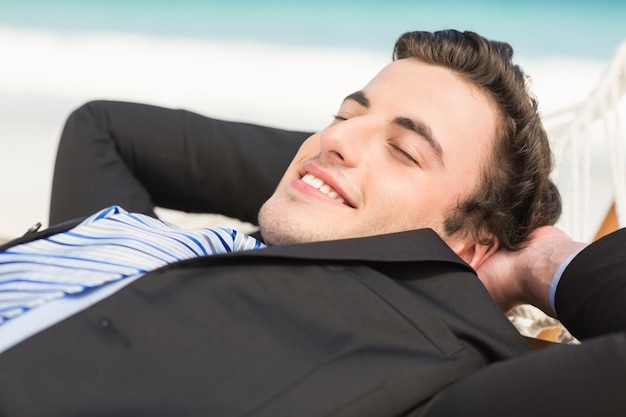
(371, 326)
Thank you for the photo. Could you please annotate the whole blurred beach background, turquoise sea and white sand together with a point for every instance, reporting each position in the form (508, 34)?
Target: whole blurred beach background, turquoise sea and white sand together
(281, 63)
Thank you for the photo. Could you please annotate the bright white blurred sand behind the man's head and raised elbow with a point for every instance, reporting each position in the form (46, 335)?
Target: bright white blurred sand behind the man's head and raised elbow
(44, 76)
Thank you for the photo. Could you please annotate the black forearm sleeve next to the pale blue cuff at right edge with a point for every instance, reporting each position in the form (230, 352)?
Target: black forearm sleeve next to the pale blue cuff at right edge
(590, 299)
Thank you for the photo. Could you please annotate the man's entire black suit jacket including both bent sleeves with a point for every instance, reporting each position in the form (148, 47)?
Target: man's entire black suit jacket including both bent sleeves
(376, 326)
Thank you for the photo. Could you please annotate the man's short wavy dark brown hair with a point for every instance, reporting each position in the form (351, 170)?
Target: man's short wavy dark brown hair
(515, 195)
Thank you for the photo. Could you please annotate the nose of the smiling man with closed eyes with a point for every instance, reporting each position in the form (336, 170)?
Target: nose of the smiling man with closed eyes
(346, 142)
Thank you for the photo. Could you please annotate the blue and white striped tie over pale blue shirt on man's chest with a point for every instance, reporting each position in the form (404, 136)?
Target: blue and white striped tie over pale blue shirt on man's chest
(110, 246)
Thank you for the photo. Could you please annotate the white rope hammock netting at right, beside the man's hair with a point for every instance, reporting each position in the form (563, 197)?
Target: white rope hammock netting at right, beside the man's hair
(574, 141)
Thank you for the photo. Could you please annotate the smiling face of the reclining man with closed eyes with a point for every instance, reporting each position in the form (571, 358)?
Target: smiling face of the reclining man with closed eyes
(400, 155)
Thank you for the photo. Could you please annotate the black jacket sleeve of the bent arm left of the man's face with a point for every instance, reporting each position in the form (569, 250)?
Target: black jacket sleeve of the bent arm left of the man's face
(140, 156)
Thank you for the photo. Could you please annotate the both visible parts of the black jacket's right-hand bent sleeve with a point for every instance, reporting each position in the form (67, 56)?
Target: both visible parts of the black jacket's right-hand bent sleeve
(564, 380)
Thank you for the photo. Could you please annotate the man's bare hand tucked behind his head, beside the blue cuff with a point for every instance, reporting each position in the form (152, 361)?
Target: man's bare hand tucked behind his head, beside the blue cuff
(524, 276)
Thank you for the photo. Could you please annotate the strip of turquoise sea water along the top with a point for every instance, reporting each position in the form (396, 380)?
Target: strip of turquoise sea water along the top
(589, 29)
